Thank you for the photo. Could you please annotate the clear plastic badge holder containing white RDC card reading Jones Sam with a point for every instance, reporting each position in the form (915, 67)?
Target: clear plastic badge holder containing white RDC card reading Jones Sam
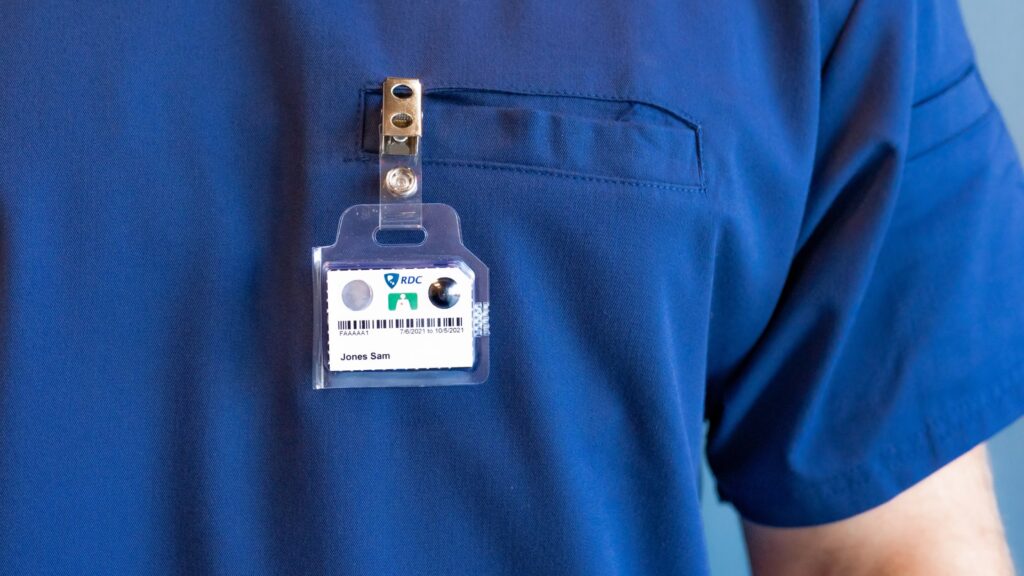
(400, 315)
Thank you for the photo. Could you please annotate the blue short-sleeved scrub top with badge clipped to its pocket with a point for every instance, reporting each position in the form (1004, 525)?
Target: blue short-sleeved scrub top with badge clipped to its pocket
(800, 223)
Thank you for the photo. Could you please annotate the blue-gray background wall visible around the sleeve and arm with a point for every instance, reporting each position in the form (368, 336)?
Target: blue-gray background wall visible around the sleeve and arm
(998, 30)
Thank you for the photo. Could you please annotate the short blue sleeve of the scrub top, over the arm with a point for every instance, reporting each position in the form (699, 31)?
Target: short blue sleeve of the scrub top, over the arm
(899, 342)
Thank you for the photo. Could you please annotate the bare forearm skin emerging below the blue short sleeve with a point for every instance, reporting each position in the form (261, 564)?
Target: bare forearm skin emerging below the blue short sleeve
(948, 524)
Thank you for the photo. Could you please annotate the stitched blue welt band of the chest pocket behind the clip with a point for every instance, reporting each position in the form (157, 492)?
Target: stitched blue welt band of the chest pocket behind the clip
(603, 139)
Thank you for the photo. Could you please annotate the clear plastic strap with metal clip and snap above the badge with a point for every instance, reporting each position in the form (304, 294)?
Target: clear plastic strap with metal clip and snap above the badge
(401, 177)
